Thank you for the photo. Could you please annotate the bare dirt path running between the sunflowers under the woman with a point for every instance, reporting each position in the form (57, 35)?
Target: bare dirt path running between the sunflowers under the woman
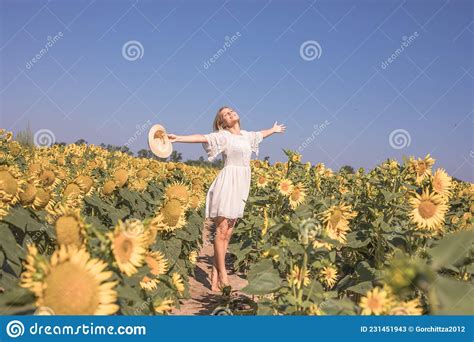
(203, 301)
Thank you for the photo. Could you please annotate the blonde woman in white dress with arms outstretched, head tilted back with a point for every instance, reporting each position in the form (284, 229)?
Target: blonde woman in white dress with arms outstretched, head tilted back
(225, 200)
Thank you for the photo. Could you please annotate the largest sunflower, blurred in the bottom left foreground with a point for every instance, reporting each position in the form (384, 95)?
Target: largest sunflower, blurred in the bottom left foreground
(72, 283)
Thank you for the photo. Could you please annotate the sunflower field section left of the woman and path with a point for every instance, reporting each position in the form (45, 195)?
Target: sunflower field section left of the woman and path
(86, 231)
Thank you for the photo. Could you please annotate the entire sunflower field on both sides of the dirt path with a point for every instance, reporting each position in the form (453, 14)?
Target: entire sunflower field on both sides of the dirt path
(87, 231)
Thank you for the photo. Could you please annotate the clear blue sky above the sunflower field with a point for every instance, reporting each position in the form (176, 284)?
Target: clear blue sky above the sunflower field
(87, 85)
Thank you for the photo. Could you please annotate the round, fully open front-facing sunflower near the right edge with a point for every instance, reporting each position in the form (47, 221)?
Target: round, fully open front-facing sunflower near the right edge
(428, 210)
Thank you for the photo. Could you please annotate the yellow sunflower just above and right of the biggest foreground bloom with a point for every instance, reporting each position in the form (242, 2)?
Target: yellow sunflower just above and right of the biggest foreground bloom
(128, 248)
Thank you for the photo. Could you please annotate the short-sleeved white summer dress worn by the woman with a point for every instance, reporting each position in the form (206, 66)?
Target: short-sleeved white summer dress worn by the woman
(228, 193)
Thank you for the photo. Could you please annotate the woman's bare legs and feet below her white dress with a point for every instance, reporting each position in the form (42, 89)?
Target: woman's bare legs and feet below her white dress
(219, 253)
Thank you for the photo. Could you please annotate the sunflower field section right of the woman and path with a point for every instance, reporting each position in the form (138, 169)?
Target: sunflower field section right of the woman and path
(397, 240)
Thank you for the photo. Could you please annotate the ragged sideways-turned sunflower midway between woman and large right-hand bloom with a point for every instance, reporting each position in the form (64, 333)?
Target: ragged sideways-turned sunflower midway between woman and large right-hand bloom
(337, 219)
